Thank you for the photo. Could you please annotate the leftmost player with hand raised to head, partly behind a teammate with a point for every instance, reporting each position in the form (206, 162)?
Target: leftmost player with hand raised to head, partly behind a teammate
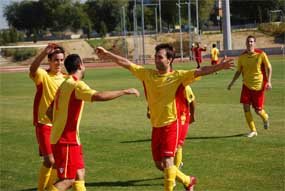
(47, 82)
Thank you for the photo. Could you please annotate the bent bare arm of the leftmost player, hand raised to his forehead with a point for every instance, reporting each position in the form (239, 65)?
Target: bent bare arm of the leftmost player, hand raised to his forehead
(36, 63)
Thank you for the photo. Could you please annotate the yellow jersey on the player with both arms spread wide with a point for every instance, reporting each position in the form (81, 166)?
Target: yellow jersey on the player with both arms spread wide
(160, 90)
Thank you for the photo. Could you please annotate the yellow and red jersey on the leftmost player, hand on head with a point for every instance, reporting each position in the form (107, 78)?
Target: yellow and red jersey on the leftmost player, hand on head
(46, 85)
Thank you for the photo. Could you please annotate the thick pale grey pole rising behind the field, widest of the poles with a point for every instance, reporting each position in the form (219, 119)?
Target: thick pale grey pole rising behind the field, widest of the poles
(227, 25)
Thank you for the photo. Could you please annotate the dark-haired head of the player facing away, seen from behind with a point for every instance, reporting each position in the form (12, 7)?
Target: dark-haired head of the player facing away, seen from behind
(74, 64)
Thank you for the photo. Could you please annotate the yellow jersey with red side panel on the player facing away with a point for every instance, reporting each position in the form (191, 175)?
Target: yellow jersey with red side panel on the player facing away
(67, 110)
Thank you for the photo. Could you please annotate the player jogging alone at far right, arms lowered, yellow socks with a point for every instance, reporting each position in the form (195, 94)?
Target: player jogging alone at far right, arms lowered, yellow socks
(256, 71)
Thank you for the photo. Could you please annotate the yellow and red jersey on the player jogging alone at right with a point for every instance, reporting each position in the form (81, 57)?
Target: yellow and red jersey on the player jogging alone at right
(252, 66)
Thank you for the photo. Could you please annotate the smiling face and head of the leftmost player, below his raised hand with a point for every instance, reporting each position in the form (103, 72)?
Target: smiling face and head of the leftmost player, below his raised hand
(56, 59)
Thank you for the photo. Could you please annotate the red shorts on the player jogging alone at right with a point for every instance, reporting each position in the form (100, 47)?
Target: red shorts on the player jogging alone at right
(252, 97)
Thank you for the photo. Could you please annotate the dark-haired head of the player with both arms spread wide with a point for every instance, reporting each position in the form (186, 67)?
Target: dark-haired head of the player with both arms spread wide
(164, 56)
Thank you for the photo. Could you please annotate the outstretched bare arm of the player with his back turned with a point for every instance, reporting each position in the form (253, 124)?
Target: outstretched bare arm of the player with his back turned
(109, 95)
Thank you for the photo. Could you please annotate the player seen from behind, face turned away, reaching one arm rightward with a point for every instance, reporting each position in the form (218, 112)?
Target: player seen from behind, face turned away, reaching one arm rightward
(67, 110)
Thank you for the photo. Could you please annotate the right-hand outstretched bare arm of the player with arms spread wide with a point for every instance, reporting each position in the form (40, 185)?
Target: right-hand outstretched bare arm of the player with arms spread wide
(225, 63)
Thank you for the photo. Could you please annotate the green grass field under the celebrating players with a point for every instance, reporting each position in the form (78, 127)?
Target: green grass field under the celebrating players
(116, 136)
